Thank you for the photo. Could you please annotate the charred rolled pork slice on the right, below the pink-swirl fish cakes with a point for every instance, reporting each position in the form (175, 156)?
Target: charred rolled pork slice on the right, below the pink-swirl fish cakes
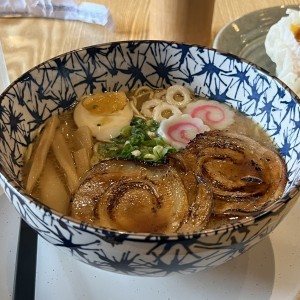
(243, 175)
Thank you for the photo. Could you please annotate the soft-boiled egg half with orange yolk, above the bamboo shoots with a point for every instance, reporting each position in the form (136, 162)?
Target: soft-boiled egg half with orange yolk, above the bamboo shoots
(104, 113)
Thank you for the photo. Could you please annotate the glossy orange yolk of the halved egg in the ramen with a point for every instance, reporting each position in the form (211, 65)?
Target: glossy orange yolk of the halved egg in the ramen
(105, 103)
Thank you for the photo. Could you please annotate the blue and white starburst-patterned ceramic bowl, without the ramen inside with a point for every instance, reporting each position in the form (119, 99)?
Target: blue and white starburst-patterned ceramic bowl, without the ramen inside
(53, 86)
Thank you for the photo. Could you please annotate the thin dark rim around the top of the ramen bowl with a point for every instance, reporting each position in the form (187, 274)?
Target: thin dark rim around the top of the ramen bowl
(278, 204)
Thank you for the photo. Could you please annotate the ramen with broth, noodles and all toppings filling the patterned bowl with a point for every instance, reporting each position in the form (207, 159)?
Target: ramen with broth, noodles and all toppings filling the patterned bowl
(182, 163)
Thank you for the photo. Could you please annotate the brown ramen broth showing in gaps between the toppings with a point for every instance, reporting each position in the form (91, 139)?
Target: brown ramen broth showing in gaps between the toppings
(241, 125)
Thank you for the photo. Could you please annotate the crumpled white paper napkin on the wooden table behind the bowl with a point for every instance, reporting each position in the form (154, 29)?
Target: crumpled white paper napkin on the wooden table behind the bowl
(57, 9)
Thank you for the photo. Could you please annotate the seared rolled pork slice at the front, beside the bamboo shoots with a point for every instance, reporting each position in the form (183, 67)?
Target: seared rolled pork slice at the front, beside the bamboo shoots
(141, 197)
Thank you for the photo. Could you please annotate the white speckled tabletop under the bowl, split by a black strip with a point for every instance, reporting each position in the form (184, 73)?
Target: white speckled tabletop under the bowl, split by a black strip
(270, 270)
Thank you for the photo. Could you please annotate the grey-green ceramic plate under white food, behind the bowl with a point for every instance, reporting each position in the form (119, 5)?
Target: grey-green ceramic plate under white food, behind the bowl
(245, 36)
